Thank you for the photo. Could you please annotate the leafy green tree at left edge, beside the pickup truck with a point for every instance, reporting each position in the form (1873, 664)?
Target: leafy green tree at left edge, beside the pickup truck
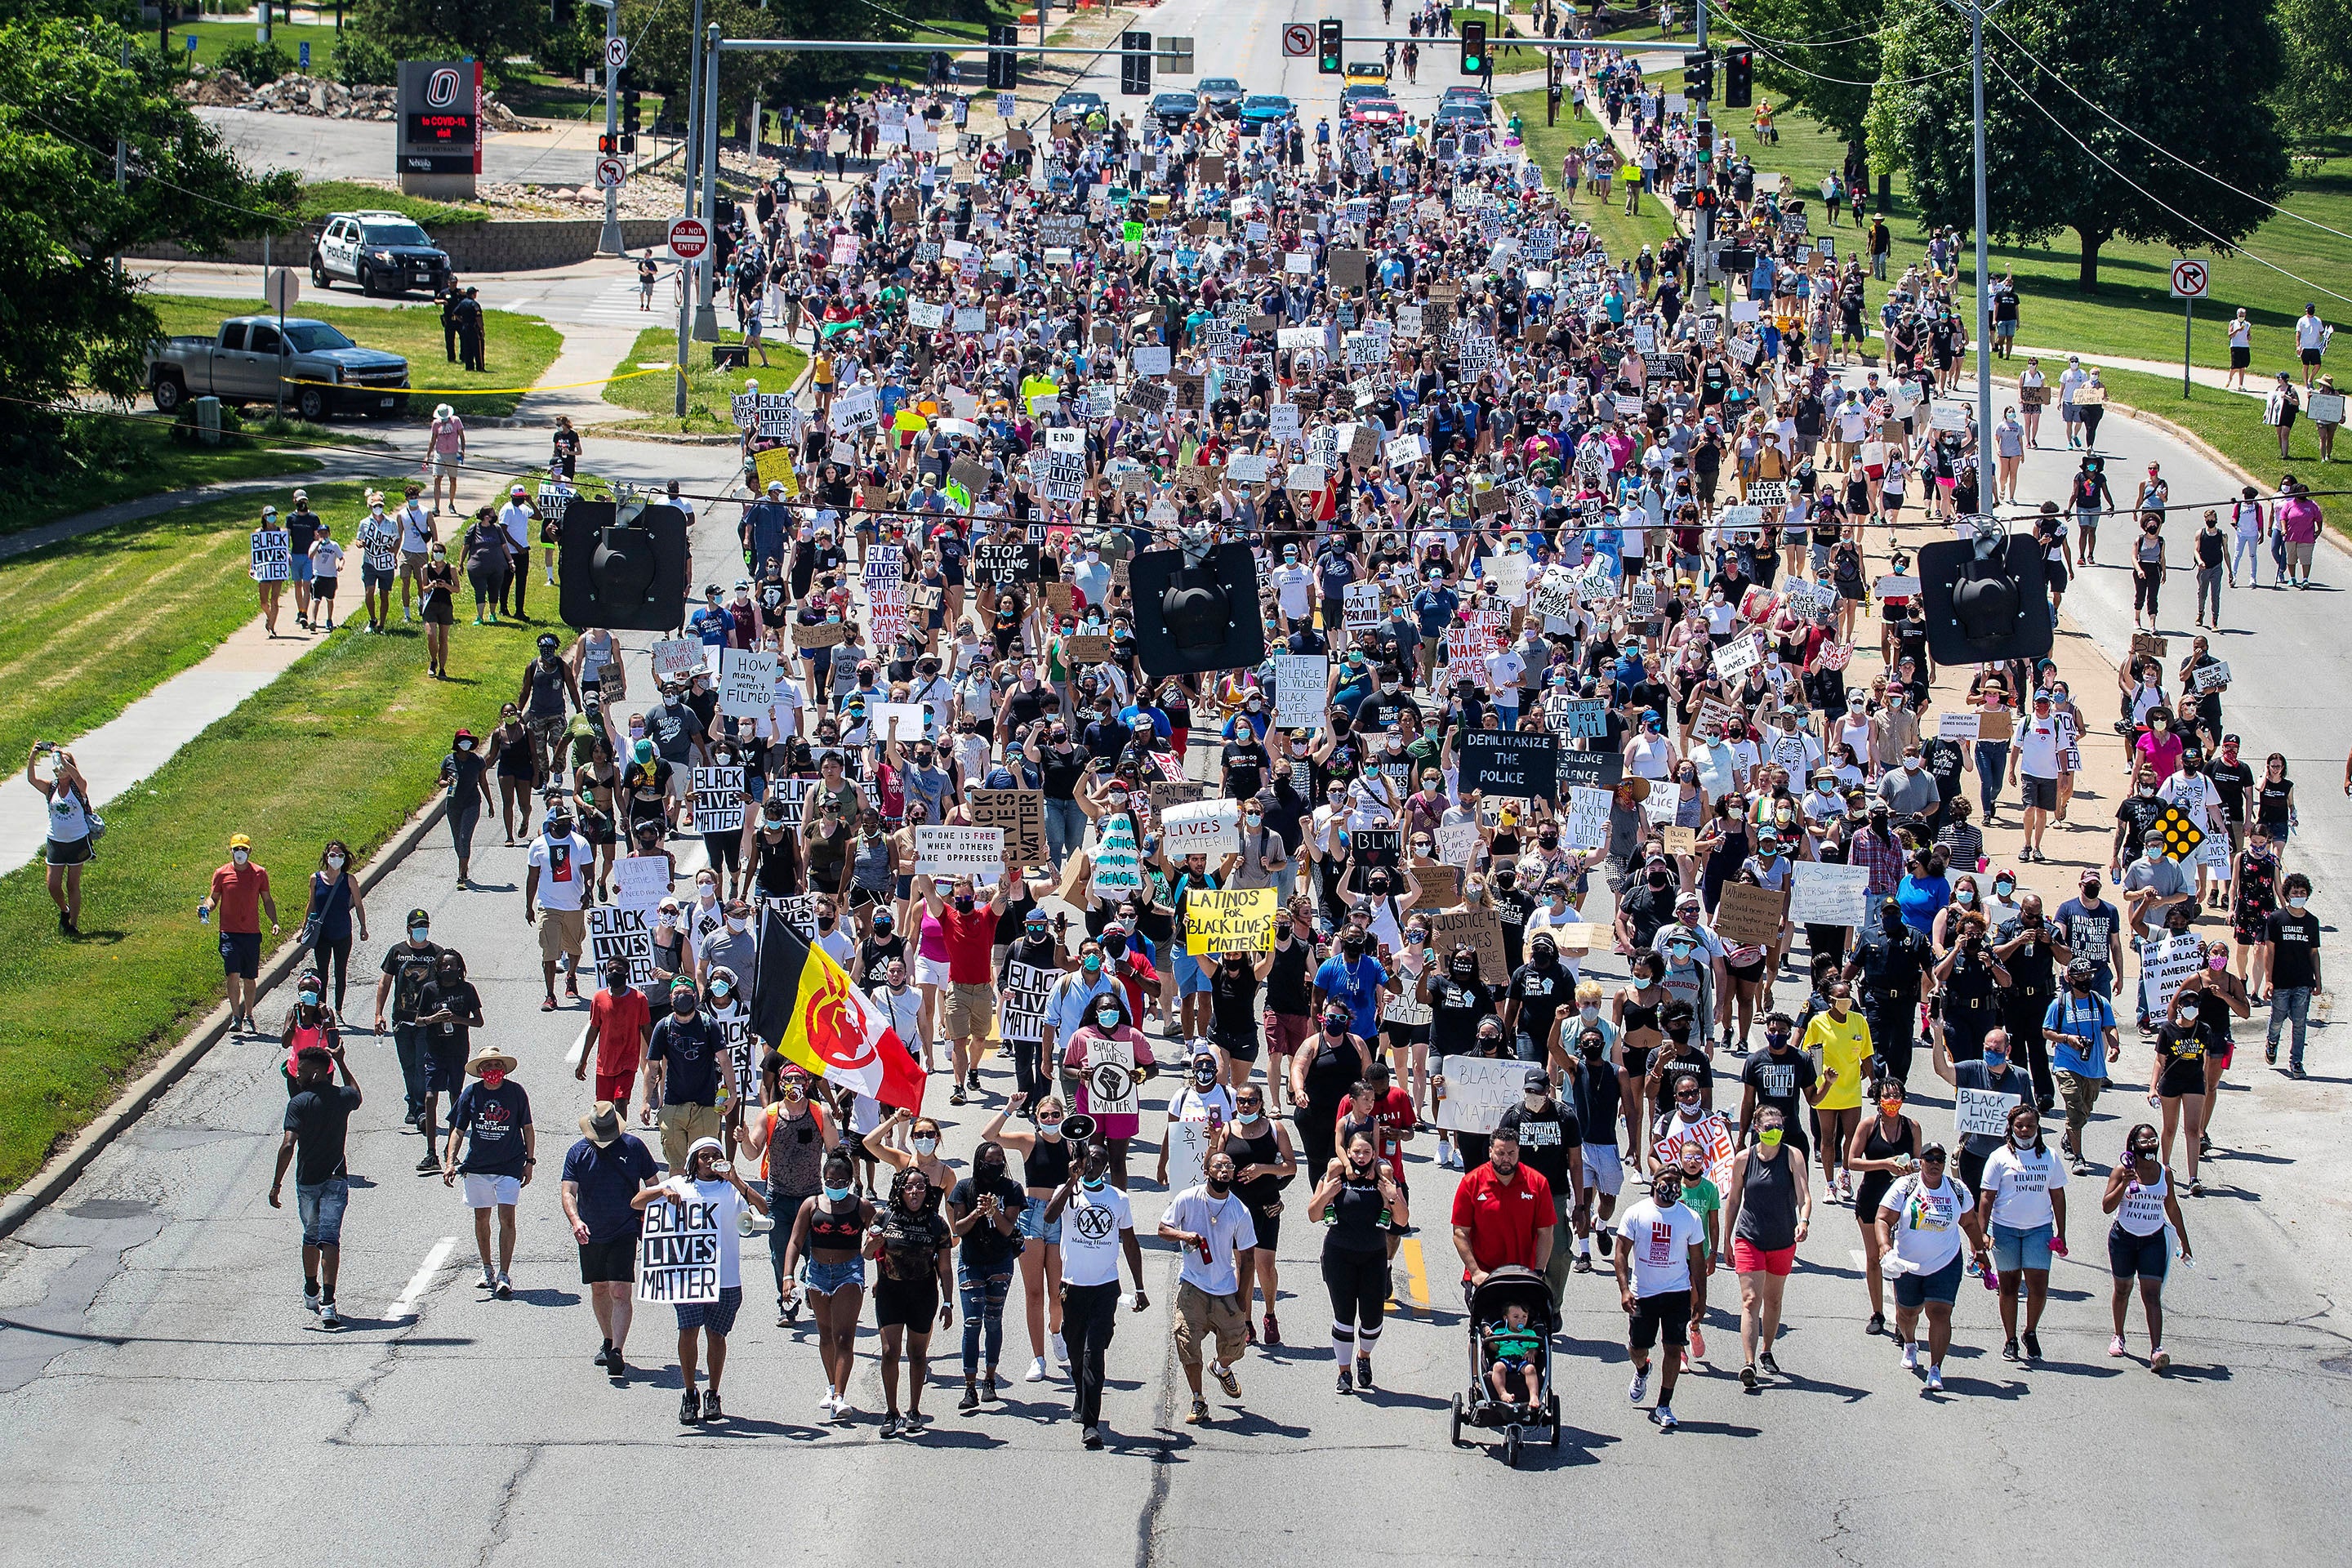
(72, 319)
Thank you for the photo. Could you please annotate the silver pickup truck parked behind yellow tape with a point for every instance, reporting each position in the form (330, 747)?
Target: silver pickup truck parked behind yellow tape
(323, 370)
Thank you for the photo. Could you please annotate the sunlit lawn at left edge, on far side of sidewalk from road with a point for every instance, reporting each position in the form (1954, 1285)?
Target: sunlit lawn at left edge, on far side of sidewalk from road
(107, 617)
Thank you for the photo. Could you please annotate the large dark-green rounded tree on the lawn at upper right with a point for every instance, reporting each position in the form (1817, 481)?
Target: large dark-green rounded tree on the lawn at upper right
(2196, 79)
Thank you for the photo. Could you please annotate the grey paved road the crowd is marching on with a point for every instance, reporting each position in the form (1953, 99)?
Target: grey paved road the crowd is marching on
(156, 1311)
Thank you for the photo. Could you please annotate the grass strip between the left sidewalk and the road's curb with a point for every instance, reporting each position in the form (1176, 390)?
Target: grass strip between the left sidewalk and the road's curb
(345, 744)
